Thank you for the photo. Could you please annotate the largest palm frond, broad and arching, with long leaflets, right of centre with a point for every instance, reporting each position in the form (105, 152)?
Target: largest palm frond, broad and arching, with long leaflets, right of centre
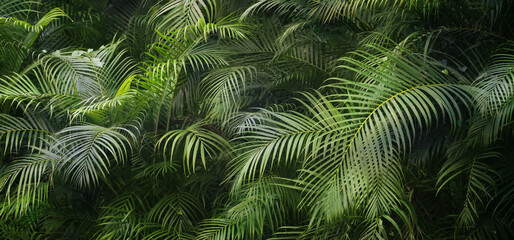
(366, 128)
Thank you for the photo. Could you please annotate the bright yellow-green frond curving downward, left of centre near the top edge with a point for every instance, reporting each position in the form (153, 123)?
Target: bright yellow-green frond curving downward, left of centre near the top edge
(182, 51)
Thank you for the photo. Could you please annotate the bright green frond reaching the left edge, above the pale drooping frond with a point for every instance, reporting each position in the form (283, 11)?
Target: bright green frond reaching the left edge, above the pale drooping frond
(54, 83)
